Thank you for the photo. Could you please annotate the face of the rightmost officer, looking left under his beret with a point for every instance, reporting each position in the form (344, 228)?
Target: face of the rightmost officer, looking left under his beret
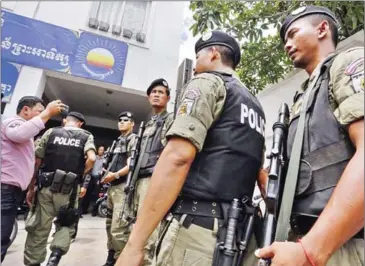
(302, 42)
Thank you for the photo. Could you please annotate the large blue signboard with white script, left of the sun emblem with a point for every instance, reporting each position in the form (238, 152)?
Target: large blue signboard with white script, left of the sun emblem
(34, 43)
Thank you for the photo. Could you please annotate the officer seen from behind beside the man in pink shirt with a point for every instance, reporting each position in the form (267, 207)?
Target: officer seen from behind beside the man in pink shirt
(64, 154)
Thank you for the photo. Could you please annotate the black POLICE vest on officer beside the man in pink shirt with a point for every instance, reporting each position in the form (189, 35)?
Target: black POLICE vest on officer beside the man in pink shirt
(65, 150)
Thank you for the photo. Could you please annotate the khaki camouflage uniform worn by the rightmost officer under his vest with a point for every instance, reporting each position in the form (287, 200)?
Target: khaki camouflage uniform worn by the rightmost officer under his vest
(346, 100)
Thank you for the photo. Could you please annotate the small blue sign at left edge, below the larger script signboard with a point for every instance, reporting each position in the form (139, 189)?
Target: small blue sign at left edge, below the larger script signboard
(9, 77)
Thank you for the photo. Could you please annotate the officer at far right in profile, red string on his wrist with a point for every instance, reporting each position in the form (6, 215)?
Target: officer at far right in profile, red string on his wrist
(328, 210)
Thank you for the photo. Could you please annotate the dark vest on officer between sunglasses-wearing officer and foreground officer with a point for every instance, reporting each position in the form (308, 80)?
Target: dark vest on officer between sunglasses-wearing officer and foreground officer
(154, 147)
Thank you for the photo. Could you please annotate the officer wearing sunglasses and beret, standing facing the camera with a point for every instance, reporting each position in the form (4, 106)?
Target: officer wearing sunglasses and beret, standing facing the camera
(118, 229)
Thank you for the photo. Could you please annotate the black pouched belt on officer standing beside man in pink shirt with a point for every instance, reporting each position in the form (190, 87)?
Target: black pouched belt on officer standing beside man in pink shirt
(58, 181)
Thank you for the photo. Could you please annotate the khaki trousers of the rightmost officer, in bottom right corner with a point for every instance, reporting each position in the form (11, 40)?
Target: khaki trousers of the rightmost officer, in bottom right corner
(350, 254)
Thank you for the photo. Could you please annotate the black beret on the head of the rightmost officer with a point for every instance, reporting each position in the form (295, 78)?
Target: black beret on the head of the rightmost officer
(302, 12)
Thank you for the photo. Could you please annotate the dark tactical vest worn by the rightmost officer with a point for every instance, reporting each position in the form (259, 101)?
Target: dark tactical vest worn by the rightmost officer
(326, 150)
